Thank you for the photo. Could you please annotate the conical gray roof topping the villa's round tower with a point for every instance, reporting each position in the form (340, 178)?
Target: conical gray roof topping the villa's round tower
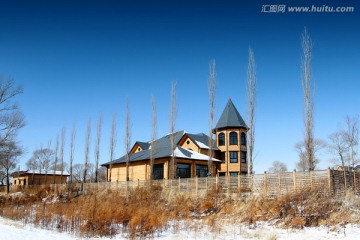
(230, 117)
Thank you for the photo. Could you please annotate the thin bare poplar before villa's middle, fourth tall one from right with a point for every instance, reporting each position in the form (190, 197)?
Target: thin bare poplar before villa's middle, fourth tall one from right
(172, 119)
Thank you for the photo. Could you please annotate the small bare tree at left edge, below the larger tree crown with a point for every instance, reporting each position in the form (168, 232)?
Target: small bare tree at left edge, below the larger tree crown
(9, 153)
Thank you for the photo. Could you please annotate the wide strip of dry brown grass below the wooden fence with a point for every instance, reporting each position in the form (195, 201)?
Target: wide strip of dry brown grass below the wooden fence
(143, 212)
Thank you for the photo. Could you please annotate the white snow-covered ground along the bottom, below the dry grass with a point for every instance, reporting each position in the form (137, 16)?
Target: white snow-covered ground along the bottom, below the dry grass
(16, 230)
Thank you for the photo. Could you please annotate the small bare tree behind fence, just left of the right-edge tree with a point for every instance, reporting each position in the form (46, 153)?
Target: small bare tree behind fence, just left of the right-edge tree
(338, 147)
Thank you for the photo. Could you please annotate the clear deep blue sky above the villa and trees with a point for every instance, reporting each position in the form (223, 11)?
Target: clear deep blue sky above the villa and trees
(77, 58)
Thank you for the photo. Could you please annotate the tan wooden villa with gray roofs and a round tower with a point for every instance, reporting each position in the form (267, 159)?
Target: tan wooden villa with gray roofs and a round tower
(191, 153)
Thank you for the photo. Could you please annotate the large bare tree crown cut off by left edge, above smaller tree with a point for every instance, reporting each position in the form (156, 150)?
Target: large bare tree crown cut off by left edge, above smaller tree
(11, 119)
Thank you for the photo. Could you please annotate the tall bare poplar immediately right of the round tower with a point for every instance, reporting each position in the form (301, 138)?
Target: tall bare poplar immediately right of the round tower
(251, 95)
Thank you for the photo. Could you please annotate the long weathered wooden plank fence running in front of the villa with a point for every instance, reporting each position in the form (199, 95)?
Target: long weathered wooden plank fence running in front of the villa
(328, 181)
